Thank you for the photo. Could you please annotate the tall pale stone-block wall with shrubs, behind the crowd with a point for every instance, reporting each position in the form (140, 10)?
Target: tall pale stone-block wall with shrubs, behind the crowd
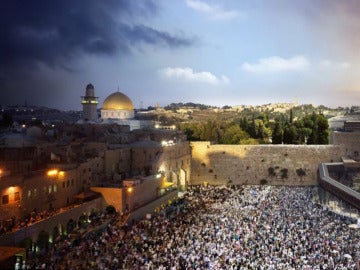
(256, 164)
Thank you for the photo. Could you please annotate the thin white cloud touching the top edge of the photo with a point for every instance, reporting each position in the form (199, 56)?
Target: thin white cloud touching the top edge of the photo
(215, 12)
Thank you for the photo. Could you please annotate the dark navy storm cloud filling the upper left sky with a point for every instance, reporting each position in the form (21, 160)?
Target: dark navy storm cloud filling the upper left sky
(56, 32)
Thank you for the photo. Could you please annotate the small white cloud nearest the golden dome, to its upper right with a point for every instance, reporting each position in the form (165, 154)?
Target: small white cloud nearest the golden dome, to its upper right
(189, 75)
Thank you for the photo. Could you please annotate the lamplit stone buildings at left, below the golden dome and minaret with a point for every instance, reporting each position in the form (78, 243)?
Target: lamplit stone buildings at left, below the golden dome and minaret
(53, 173)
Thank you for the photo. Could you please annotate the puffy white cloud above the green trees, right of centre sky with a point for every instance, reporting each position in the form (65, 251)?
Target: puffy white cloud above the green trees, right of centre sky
(275, 64)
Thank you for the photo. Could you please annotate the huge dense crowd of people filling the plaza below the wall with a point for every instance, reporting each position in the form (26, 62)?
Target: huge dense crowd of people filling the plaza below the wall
(220, 227)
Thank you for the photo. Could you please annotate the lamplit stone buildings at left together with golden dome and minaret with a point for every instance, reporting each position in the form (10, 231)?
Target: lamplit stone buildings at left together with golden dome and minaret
(53, 170)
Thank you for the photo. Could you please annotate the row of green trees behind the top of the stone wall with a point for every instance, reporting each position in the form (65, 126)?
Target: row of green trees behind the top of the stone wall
(309, 129)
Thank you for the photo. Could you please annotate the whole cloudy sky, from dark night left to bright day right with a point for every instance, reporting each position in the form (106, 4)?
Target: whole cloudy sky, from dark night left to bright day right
(205, 51)
